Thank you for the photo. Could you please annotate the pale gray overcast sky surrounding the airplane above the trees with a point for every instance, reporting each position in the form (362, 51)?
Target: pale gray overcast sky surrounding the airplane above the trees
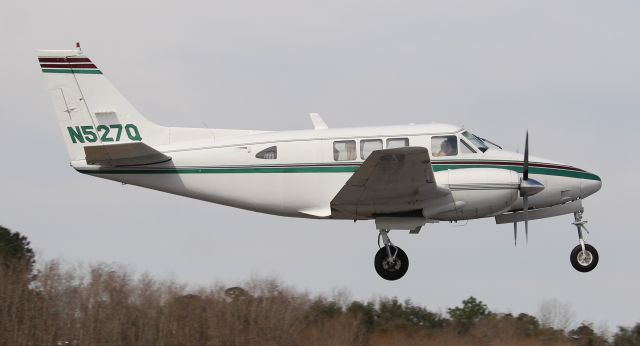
(566, 70)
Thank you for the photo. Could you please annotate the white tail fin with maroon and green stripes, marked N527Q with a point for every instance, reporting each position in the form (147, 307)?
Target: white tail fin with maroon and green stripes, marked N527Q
(90, 111)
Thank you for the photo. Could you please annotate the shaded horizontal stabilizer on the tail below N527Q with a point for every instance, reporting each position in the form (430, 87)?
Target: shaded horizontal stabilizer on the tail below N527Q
(125, 154)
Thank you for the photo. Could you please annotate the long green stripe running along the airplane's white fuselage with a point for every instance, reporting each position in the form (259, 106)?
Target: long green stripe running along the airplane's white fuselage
(327, 169)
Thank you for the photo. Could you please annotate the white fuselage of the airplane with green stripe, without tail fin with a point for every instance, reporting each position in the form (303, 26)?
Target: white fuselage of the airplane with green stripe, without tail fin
(302, 176)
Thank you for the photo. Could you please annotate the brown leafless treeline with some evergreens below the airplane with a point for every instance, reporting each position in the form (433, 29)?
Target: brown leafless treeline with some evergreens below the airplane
(106, 305)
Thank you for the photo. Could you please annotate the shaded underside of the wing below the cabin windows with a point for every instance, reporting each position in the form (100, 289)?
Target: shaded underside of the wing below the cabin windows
(390, 181)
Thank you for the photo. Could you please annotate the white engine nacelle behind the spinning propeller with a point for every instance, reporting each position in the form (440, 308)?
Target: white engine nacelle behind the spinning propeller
(479, 192)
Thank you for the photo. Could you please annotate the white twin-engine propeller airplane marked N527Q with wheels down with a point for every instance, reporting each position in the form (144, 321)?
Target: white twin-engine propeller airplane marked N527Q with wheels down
(403, 177)
